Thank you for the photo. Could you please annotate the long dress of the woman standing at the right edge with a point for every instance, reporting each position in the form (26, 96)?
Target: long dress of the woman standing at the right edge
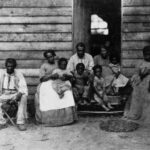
(138, 106)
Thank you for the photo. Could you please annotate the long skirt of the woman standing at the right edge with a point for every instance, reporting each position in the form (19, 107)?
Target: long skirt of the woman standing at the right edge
(138, 106)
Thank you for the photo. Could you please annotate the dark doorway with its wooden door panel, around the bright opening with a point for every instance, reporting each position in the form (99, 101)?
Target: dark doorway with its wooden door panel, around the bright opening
(110, 12)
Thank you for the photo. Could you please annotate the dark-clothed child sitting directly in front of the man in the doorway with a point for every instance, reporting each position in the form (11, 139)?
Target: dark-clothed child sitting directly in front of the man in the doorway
(81, 84)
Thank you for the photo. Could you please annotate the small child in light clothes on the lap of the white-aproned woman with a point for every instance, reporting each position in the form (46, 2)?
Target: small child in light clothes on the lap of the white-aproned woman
(62, 84)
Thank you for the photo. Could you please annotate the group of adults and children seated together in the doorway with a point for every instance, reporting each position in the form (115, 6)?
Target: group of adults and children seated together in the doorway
(94, 79)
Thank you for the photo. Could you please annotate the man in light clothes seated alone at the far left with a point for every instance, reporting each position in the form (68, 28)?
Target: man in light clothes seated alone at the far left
(13, 88)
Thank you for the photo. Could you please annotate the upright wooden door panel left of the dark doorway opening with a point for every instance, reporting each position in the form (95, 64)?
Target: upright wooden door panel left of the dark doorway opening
(81, 23)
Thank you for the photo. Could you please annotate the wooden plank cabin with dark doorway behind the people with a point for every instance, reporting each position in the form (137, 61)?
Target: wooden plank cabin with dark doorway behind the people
(29, 27)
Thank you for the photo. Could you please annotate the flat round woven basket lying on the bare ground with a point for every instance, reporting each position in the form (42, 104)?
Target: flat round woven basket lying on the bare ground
(118, 125)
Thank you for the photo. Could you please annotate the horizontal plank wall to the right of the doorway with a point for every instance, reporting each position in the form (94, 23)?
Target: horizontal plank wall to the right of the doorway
(135, 32)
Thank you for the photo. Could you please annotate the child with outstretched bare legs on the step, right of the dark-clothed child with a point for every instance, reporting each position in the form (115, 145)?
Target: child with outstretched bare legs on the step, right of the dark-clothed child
(99, 88)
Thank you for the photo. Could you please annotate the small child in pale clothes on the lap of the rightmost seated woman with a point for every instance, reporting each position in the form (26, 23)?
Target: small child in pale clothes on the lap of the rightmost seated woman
(116, 80)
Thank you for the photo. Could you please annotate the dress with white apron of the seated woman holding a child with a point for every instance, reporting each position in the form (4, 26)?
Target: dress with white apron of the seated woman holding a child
(50, 109)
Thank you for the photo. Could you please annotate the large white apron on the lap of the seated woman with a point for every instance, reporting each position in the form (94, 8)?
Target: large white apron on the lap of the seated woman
(49, 99)
